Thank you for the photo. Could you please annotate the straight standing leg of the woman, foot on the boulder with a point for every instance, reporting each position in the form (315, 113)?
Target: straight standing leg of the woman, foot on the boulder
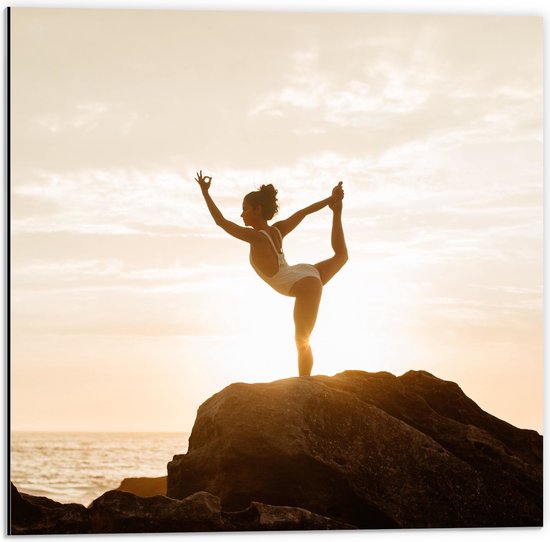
(308, 296)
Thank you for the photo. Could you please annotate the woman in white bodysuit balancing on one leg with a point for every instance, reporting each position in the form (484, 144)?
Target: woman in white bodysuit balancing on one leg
(303, 281)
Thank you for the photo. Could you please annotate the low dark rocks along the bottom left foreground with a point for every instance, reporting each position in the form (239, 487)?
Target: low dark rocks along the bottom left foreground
(122, 512)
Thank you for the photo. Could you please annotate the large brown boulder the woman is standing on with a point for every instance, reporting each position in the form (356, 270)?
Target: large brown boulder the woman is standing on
(366, 449)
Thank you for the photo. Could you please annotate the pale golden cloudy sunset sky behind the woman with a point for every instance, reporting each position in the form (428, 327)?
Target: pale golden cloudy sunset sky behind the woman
(130, 307)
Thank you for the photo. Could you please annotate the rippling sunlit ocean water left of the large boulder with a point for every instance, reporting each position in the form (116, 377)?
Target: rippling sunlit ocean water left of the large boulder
(79, 467)
